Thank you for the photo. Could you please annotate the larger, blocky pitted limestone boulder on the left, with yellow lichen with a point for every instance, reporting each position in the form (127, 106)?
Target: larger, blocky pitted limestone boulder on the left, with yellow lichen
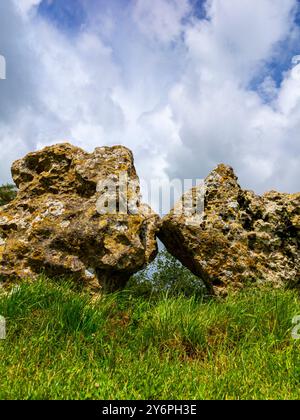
(77, 215)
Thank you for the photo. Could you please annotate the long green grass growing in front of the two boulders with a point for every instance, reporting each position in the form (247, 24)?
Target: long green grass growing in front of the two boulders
(62, 345)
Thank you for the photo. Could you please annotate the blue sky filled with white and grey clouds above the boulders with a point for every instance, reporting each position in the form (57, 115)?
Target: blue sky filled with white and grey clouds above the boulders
(186, 84)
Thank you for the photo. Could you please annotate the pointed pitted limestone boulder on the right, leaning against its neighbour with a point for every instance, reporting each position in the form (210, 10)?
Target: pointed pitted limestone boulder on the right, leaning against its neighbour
(237, 237)
